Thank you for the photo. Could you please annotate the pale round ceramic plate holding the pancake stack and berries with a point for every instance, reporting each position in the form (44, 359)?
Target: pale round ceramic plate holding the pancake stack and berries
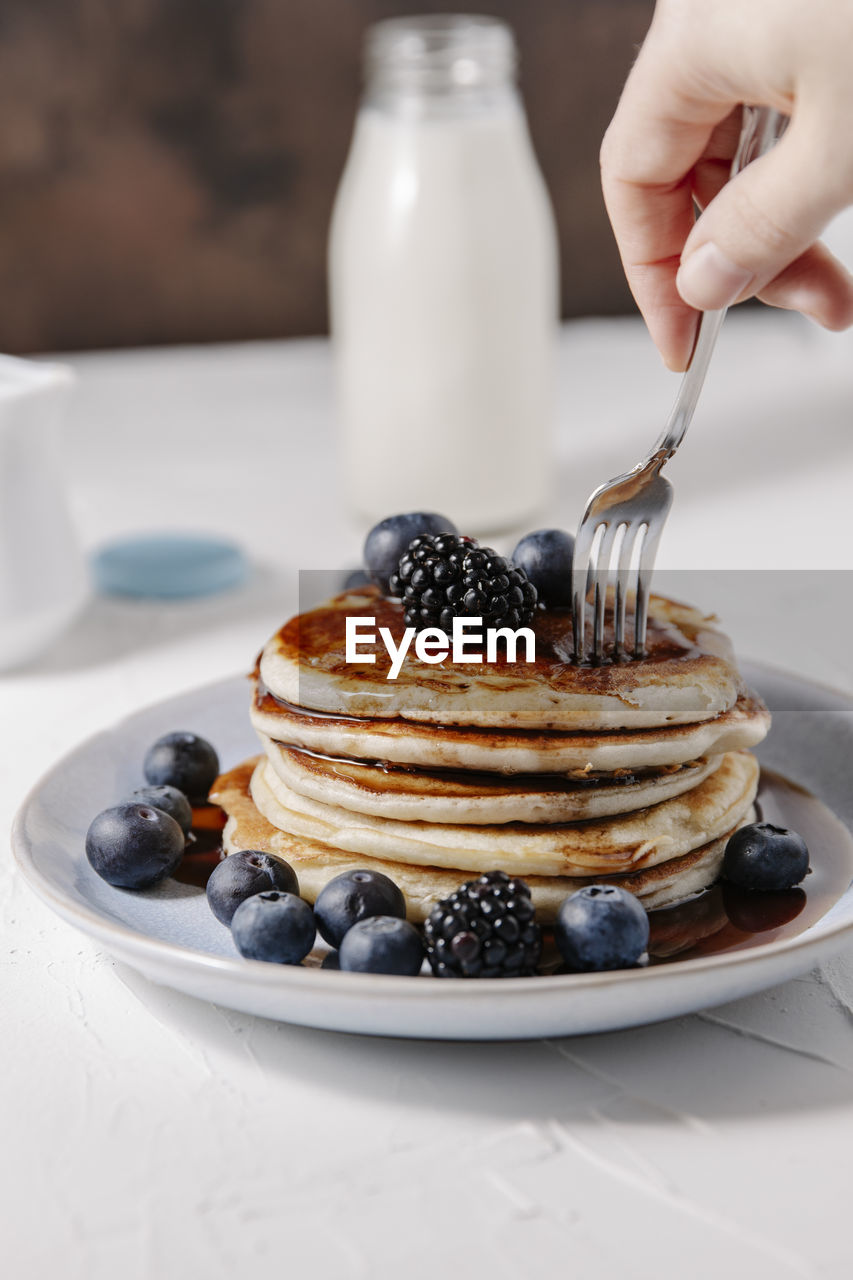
(170, 935)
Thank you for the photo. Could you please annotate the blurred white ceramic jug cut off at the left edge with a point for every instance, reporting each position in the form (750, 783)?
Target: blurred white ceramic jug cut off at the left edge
(43, 572)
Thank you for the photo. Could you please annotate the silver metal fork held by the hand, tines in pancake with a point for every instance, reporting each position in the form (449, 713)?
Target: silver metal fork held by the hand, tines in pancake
(638, 502)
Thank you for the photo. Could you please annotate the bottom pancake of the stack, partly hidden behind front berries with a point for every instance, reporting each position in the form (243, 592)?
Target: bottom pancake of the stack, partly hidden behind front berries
(316, 865)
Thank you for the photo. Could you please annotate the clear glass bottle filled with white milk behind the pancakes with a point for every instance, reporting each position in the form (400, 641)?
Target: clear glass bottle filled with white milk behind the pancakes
(444, 282)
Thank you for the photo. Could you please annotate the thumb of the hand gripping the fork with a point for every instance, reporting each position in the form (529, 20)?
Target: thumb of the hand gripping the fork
(760, 222)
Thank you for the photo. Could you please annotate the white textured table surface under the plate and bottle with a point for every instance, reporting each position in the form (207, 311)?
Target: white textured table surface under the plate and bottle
(148, 1135)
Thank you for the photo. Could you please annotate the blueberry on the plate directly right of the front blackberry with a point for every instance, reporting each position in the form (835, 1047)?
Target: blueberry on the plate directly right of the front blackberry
(601, 927)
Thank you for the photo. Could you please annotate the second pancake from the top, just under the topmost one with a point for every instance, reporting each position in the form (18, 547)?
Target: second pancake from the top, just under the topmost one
(450, 747)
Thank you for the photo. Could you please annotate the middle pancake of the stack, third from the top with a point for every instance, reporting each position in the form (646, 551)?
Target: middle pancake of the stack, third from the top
(457, 797)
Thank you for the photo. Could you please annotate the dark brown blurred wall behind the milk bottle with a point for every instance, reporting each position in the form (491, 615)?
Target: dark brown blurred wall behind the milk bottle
(168, 167)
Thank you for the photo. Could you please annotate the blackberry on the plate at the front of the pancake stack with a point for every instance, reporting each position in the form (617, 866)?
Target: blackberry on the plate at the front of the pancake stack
(485, 930)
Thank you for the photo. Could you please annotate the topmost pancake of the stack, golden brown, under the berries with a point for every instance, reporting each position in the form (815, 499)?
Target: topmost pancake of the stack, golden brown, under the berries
(688, 675)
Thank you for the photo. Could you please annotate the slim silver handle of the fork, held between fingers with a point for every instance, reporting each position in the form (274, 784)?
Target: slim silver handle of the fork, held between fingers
(761, 127)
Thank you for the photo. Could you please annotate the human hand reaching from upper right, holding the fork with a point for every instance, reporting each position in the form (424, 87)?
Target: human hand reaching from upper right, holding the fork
(672, 143)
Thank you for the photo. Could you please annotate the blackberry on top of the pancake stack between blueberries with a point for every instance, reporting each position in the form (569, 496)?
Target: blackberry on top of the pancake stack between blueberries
(448, 577)
